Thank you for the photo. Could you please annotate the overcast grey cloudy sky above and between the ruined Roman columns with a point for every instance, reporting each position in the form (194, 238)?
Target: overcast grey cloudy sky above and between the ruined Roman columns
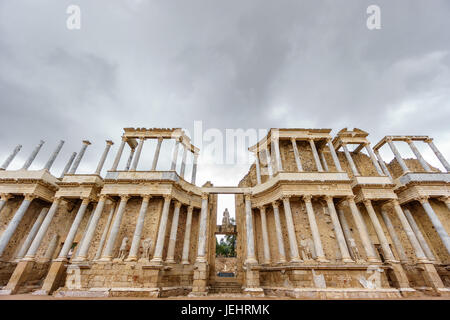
(230, 64)
